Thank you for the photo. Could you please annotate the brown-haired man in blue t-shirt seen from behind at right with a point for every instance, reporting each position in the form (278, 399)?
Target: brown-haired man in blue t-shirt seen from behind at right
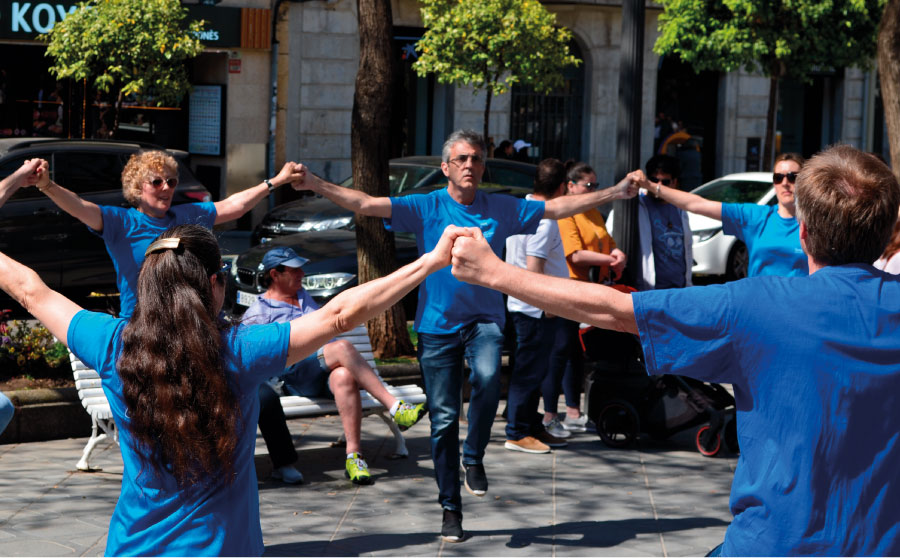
(814, 360)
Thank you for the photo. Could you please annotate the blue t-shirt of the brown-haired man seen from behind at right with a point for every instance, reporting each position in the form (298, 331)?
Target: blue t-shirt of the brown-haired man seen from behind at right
(815, 364)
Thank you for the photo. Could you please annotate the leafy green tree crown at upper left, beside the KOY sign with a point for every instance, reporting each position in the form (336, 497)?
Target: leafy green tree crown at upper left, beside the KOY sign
(133, 48)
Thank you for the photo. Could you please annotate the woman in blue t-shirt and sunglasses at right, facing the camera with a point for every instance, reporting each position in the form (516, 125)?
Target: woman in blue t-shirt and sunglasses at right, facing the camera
(771, 233)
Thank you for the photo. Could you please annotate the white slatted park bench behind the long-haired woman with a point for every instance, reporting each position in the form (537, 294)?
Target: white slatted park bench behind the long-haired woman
(93, 398)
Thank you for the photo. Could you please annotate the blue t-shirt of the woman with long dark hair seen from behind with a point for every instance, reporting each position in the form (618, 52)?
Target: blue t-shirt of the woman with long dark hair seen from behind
(153, 517)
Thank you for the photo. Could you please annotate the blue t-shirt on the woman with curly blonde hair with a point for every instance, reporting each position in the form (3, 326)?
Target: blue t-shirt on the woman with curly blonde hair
(128, 232)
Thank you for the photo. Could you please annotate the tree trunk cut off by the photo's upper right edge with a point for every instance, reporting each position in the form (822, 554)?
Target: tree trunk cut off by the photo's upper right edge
(889, 76)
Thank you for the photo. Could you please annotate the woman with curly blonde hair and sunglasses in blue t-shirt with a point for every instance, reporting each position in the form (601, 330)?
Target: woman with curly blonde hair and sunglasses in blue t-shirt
(149, 180)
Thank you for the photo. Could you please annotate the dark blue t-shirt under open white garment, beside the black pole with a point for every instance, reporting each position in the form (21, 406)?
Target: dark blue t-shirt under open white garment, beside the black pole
(668, 243)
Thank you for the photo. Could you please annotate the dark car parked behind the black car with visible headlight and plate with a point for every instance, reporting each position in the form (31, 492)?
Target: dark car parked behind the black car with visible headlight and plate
(407, 175)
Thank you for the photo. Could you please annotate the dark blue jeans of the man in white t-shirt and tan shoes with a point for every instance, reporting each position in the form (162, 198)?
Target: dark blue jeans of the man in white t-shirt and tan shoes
(535, 338)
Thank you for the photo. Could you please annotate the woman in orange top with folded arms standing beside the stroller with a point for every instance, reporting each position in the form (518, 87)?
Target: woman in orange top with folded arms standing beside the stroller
(586, 244)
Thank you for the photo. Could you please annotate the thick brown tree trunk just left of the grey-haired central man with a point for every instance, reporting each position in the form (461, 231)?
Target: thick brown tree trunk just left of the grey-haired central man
(370, 142)
